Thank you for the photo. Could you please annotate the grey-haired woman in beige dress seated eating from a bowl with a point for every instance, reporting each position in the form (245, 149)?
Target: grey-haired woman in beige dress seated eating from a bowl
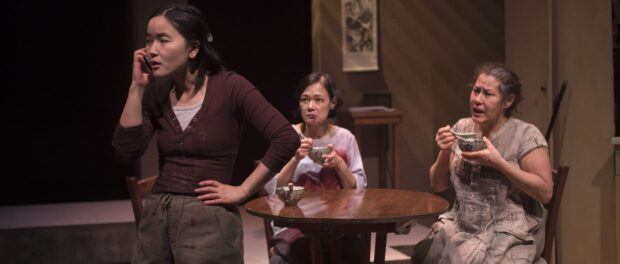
(498, 214)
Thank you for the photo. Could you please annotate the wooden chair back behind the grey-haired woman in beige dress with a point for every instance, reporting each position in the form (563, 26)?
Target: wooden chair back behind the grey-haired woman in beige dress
(553, 211)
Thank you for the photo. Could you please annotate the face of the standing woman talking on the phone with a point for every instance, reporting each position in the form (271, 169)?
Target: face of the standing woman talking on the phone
(166, 46)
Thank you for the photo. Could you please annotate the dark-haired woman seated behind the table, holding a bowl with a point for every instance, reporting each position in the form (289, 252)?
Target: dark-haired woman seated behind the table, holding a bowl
(341, 167)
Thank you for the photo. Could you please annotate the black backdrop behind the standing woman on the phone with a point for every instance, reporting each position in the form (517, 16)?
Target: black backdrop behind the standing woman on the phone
(67, 68)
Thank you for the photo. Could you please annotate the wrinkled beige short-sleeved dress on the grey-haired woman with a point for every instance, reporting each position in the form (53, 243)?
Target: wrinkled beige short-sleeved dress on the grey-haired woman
(491, 220)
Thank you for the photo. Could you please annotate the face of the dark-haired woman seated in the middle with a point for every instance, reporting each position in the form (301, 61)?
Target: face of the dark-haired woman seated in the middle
(315, 104)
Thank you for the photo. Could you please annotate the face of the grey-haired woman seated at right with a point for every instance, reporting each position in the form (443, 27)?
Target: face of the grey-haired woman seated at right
(485, 101)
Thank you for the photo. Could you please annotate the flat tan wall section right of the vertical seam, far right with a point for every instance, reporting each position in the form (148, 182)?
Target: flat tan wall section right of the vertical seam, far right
(582, 39)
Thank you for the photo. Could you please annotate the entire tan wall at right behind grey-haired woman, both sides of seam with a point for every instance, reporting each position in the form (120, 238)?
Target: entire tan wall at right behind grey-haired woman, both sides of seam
(546, 43)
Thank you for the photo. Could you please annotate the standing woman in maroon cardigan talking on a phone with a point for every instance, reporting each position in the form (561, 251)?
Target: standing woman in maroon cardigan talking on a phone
(197, 110)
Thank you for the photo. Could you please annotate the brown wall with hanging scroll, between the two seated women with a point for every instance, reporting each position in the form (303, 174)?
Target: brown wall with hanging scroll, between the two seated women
(428, 50)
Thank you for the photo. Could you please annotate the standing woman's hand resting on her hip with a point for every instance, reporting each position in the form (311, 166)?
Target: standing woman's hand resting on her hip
(214, 192)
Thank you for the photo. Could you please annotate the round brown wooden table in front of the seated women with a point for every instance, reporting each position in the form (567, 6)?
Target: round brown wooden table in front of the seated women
(349, 211)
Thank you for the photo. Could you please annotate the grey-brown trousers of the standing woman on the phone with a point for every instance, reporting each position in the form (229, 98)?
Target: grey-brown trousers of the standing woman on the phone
(181, 229)
